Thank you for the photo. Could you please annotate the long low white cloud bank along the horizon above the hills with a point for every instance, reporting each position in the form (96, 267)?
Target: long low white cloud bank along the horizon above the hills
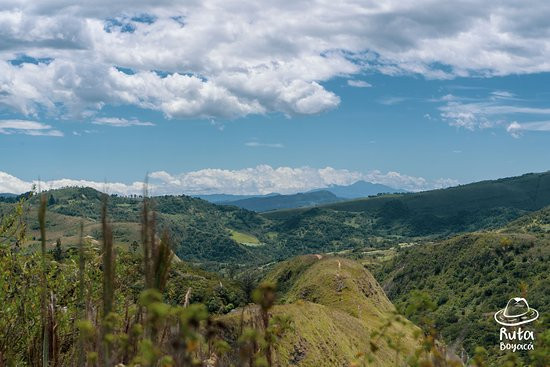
(262, 179)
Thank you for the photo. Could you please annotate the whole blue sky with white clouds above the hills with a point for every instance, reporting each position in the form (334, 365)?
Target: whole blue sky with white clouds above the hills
(249, 97)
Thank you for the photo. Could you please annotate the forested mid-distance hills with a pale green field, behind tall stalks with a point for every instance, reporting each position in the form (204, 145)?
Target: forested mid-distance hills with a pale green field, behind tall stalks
(205, 233)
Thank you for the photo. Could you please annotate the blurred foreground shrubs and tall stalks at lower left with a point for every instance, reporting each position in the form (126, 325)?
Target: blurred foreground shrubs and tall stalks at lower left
(84, 320)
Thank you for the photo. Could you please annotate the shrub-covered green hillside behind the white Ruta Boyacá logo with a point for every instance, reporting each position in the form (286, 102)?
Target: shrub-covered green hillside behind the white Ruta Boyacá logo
(470, 277)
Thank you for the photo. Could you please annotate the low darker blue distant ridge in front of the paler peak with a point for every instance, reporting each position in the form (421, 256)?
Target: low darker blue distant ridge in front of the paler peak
(275, 202)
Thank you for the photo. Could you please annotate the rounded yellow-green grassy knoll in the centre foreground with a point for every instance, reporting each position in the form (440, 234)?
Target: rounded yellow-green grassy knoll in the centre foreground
(335, 304)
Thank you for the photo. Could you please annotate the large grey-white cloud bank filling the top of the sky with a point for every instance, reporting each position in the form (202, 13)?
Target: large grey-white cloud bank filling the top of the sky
(219, 59)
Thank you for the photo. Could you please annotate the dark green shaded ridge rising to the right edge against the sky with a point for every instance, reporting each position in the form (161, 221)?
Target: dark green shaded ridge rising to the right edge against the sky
(480, 205)
